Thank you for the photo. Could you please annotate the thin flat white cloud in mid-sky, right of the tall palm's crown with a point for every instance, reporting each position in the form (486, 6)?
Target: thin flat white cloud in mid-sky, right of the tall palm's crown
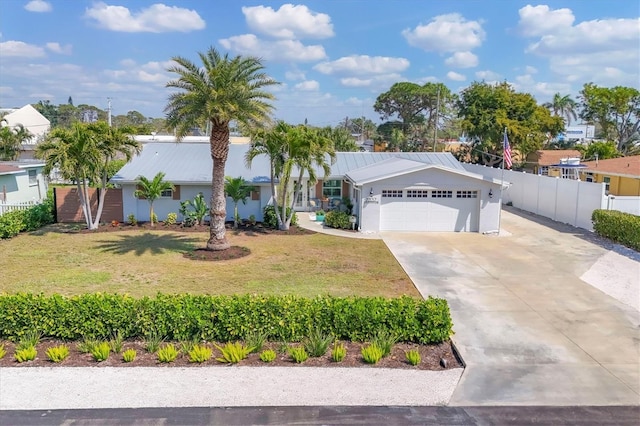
(363, 65)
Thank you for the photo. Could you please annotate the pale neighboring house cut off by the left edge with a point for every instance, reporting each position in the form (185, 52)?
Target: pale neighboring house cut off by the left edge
(21, 182)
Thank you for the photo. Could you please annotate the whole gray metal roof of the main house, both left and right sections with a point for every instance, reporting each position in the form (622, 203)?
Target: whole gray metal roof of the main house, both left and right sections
(187, 162)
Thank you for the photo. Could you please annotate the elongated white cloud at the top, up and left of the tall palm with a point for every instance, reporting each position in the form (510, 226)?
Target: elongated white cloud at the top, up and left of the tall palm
(157, 18)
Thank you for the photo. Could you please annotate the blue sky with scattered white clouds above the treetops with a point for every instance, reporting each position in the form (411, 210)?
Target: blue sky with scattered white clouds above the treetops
(333, 57)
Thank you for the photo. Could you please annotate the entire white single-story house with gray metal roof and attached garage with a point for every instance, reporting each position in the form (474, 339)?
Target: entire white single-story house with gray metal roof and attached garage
(389, 191)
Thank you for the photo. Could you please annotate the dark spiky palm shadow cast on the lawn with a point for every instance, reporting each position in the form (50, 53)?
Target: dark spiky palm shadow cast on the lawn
(148, 242)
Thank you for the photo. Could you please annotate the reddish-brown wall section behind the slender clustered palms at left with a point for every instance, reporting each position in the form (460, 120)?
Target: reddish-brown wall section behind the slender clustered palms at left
(69, 210)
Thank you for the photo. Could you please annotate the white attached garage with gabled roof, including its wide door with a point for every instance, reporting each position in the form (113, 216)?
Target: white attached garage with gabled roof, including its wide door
(402, 194)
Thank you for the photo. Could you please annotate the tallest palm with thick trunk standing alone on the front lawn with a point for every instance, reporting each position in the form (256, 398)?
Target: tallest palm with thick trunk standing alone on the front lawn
(221, 90)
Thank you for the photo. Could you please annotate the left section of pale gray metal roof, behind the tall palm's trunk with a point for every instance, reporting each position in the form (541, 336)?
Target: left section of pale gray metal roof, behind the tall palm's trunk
(185, 163)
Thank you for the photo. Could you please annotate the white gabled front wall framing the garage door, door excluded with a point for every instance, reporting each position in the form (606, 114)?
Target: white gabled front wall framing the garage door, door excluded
(369, 205)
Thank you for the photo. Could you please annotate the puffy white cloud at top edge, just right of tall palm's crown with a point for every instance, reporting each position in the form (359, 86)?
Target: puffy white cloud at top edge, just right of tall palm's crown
(290, 22)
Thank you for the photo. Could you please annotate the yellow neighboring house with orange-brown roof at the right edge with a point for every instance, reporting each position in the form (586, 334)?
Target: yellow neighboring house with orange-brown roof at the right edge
(620, 175)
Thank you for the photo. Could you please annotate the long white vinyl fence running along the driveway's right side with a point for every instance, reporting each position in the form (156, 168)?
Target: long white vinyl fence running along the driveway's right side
(563, 200)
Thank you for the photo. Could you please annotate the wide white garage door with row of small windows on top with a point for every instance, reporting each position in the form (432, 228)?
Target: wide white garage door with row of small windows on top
(429, 210)
